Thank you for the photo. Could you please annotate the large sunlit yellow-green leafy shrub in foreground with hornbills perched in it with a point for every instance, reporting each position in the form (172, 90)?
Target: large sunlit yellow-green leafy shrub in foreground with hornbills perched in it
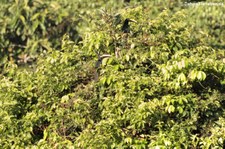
(160, 88)
